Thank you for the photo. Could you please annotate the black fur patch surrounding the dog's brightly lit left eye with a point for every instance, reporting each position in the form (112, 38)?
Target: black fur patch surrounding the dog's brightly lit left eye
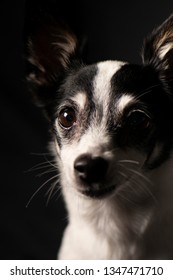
(78, 80)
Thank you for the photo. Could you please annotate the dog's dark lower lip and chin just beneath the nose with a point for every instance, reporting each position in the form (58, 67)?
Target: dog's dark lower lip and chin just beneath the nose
(97, 191)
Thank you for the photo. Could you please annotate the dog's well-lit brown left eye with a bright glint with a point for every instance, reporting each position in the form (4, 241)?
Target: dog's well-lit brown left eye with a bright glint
(67, 117)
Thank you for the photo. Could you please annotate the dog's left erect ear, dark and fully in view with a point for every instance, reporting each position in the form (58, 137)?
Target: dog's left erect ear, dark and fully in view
(50, 48)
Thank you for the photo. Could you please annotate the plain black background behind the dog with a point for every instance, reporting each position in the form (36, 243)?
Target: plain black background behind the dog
(114, 30)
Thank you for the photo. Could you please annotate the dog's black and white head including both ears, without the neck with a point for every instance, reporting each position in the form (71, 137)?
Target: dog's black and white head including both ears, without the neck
(112, 120)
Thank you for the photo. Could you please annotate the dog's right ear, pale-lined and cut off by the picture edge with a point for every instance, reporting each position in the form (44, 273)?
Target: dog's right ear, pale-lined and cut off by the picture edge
(158, 49)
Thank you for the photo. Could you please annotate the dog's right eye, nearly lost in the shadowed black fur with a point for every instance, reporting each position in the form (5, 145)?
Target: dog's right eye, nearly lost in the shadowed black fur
(138, 119)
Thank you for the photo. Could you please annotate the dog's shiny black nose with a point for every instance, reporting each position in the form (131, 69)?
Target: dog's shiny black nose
(91, 170)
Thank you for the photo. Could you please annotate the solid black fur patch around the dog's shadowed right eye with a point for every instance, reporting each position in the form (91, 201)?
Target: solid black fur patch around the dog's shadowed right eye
(144, 84)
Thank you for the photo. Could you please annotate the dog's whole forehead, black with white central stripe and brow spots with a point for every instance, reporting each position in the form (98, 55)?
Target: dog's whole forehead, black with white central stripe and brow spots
(116, 82)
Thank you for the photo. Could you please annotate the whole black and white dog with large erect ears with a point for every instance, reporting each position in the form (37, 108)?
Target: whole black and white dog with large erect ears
(112, 129)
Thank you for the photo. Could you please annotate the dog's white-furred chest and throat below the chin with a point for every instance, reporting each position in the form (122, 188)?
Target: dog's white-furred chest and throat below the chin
(97, 232)
